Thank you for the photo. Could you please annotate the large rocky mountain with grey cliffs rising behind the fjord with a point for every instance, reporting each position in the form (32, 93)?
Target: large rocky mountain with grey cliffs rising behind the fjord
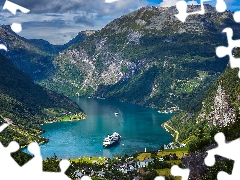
(146, 57)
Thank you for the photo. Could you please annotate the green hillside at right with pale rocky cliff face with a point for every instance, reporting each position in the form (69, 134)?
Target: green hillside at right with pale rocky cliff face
(219, 112)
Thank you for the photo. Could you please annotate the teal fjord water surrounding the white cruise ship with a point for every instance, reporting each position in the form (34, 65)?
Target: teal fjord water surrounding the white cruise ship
(140, 128)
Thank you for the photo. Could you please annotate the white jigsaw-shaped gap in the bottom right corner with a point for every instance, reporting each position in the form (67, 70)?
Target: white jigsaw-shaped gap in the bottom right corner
(228, 150)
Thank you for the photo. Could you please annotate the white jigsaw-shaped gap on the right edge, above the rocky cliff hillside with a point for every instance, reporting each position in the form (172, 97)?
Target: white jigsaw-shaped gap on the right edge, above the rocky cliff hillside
(222, 51)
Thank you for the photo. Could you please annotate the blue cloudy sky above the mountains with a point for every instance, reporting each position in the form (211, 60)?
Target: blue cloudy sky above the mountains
(58, 21)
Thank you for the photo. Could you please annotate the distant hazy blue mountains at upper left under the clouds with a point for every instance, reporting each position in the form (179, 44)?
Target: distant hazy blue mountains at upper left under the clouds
(33, 56)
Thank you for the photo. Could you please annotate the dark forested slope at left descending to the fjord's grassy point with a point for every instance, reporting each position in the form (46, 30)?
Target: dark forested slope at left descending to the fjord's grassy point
(26, 106)
